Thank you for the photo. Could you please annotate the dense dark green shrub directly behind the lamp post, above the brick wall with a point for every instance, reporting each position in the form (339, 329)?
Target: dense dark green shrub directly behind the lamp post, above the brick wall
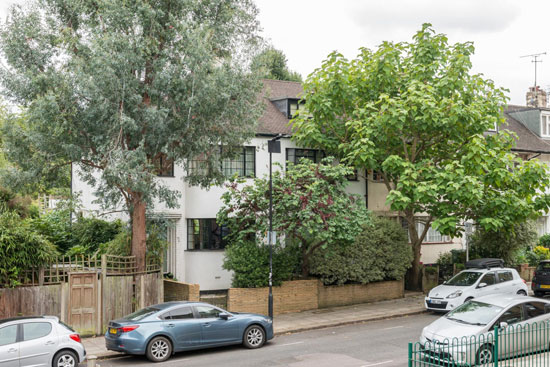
(249, 262)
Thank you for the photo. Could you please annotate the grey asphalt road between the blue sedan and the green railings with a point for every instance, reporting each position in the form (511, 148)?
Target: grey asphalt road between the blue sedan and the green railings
(377, 343)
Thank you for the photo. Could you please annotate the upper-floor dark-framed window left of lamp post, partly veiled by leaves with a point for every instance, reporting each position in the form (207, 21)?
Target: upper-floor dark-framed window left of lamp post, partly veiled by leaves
(243, 164)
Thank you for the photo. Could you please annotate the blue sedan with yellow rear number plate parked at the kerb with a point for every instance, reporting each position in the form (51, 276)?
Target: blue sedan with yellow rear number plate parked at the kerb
(159, 331)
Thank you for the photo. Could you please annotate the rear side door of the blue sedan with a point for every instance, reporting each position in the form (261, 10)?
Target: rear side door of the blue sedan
(184, 327)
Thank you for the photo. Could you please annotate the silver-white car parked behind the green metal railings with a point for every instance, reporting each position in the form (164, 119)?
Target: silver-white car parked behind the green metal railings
(465, 336)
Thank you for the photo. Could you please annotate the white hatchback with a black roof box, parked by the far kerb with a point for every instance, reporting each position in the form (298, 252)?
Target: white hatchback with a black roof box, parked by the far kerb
(480, 278)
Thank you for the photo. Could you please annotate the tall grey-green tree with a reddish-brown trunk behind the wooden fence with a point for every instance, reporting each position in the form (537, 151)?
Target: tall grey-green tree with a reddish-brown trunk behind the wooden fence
(123, 88)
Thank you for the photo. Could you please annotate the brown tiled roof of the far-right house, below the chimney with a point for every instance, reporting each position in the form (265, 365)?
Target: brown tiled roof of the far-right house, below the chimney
(527, 141)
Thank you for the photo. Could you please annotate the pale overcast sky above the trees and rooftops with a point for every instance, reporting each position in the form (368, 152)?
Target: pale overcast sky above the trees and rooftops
(502, 31)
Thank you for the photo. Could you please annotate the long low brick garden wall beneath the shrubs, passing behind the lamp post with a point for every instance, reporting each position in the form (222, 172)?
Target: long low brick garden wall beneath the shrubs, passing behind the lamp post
(302, 295)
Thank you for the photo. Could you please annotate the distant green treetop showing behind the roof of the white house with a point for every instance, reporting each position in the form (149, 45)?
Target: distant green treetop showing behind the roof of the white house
(272, 64)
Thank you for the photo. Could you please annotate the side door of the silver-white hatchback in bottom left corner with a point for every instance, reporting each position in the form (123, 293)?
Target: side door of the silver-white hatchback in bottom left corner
(38, 344)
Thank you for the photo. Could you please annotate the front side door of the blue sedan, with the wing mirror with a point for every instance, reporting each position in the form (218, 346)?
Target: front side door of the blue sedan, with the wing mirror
(216, 330)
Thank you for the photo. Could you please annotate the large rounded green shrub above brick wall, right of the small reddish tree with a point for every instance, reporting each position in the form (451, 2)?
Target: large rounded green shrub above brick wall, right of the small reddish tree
(380, 252)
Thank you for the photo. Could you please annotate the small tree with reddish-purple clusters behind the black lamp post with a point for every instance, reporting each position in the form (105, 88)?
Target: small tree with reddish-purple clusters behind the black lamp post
(310, 208)
